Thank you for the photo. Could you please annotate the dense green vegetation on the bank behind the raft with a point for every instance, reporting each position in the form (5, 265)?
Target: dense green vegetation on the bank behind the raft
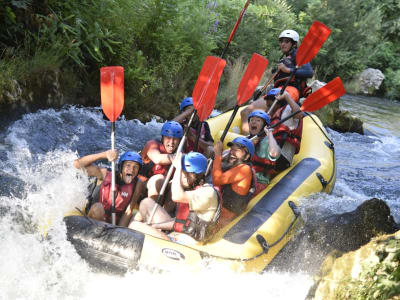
(162, 44)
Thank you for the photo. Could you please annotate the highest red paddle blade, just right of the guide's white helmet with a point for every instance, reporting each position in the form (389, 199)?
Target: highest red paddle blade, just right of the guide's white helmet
(312, 42)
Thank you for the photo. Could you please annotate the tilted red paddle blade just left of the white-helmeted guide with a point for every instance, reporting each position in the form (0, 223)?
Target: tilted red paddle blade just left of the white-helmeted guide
(251, 78)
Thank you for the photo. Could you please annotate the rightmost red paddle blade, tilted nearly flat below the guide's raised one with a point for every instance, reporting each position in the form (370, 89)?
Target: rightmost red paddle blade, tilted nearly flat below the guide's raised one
(325, 95)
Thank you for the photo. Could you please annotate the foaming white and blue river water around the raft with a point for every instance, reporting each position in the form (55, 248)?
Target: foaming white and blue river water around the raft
(38, 185)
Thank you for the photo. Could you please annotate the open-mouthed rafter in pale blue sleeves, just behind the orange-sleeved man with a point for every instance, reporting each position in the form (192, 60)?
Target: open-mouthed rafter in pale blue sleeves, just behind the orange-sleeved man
(267, 150)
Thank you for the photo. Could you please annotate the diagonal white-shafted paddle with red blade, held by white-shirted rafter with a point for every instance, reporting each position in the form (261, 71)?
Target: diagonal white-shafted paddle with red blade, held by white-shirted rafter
(204, 95)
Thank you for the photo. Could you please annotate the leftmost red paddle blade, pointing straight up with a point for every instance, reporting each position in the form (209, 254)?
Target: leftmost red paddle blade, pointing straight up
(112, 91)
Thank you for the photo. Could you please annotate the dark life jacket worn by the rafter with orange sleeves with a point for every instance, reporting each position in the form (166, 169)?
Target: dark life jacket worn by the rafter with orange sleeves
(233, 201)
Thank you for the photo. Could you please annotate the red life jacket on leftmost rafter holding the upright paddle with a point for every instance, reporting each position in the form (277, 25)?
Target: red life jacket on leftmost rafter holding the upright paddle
(122, 197)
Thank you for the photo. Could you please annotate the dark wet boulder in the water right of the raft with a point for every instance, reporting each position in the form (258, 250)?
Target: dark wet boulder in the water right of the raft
(349, 231)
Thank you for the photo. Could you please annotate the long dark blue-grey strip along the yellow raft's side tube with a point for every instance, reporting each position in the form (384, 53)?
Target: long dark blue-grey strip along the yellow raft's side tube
(270, 202)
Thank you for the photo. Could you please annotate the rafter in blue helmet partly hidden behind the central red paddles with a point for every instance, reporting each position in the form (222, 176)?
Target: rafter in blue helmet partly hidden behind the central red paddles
(206, 141)
